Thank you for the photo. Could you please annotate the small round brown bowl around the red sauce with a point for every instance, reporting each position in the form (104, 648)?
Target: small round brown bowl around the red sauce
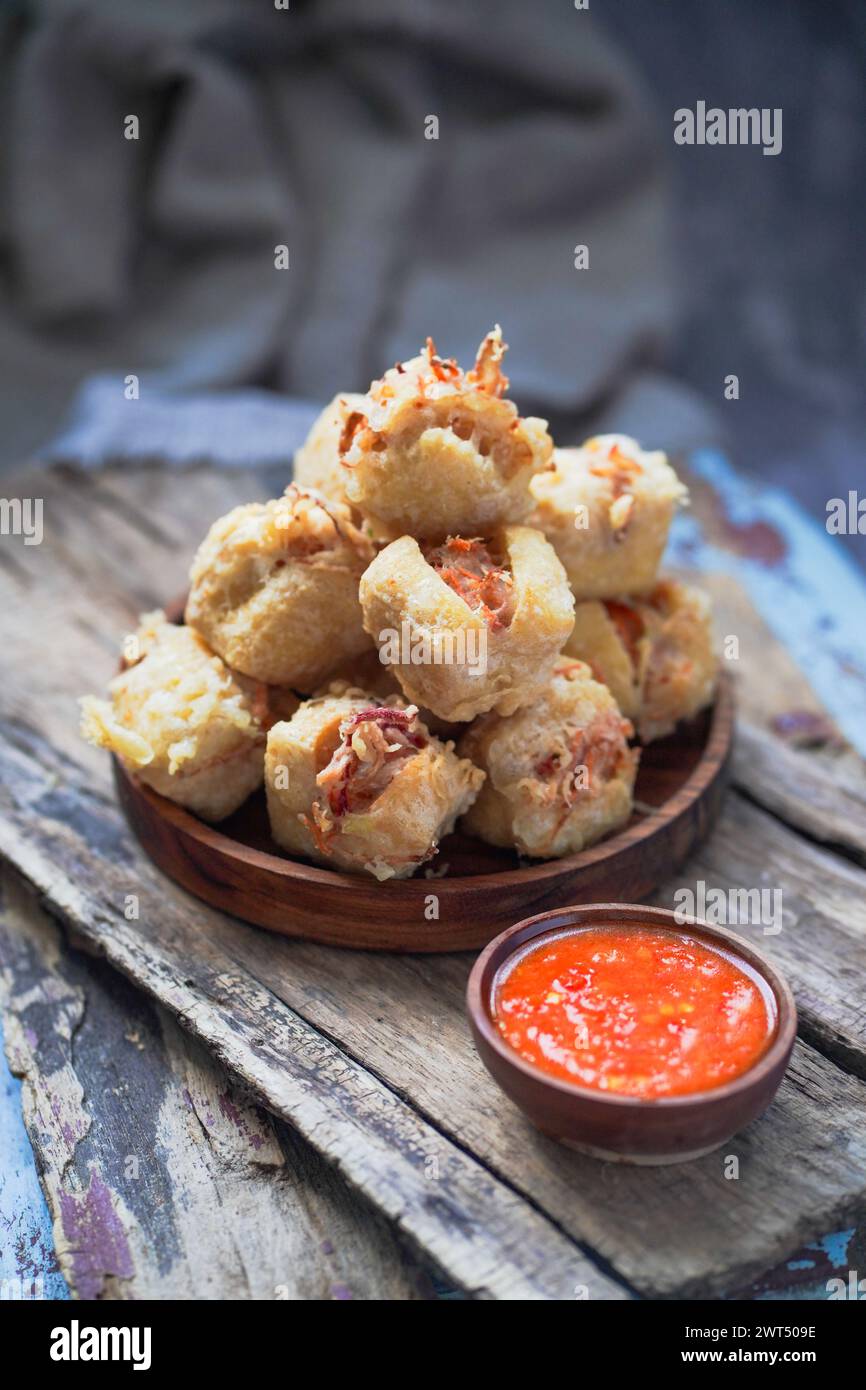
(629, 1129)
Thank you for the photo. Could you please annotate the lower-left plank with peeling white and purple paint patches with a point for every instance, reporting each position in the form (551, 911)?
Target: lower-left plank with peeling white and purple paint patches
(141, 1138)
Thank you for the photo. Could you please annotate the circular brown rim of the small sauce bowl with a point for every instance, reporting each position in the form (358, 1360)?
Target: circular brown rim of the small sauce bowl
(625, 914)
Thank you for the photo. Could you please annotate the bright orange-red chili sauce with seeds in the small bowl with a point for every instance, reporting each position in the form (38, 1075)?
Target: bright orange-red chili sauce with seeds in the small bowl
(636, 1011)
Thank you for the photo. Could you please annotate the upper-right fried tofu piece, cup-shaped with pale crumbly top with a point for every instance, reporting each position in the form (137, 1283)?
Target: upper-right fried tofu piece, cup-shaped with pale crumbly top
(607, 508)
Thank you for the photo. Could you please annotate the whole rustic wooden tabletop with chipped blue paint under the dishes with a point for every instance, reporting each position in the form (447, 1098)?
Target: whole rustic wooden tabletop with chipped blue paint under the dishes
(220, 1113)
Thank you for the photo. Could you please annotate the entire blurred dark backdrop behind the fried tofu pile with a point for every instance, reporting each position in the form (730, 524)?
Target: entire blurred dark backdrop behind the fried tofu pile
(307, 129)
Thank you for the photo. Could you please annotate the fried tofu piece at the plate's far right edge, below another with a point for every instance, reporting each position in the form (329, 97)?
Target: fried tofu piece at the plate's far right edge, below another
(655, 654)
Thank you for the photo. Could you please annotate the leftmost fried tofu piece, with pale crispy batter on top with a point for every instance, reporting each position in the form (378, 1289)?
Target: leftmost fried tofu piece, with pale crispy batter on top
(181, 721)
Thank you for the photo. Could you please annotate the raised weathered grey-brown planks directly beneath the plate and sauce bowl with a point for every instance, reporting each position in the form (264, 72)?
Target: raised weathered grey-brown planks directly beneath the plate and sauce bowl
(370, 1056)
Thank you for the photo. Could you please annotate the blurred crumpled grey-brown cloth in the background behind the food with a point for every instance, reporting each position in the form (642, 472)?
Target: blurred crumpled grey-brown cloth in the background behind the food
(307, 129)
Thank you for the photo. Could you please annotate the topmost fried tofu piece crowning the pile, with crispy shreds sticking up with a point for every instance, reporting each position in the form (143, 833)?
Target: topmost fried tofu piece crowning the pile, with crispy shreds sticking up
(436, 451)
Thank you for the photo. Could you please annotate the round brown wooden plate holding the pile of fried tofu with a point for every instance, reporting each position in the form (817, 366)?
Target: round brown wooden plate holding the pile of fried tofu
(238, 868)
